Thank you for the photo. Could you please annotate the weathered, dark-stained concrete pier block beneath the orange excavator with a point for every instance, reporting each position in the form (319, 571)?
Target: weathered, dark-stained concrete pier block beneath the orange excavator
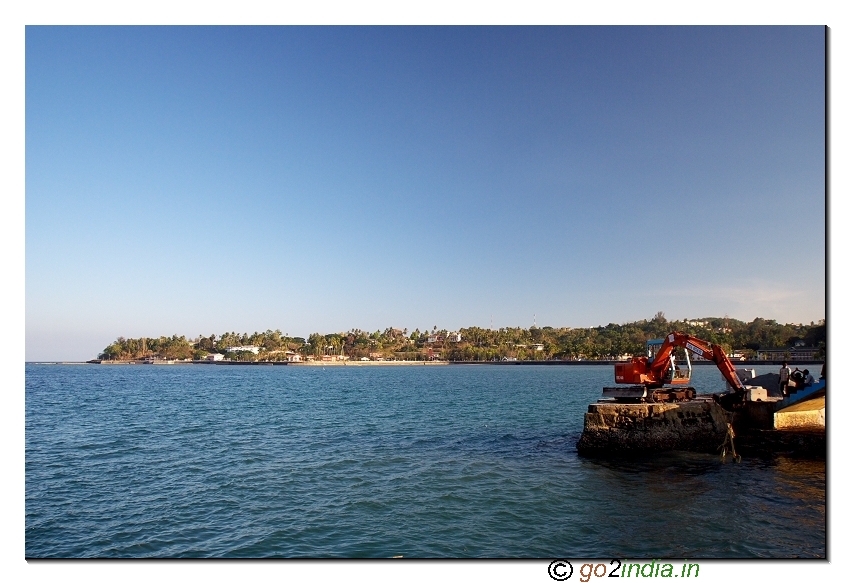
(612, 427)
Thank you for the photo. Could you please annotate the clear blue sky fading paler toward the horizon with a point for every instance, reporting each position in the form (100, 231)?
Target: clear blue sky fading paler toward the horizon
(192, 180)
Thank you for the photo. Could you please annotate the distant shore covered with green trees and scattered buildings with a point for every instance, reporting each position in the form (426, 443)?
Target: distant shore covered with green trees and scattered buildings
(759, 339)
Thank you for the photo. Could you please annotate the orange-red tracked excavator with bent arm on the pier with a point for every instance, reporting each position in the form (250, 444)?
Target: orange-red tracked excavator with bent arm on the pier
(650, 374)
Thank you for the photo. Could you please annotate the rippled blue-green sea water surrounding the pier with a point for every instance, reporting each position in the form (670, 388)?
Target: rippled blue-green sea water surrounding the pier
(452, 461)
